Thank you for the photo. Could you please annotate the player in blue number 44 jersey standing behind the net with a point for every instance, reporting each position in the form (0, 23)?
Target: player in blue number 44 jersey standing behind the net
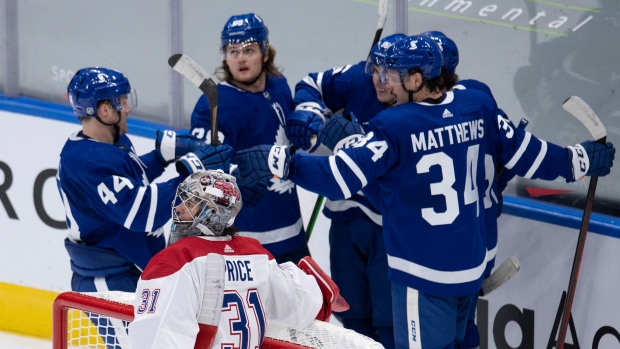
(115, 214)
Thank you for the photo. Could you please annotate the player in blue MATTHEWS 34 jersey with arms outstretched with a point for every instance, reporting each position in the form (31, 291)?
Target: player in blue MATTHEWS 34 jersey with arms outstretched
(427, 157)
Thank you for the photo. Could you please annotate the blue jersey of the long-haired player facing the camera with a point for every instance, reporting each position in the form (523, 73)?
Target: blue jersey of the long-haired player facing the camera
(246, 119)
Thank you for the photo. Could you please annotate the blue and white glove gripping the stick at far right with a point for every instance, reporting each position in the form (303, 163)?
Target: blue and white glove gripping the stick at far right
(591, 159)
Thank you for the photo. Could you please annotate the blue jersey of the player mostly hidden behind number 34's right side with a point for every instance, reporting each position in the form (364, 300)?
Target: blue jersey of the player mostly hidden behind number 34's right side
(551, 162)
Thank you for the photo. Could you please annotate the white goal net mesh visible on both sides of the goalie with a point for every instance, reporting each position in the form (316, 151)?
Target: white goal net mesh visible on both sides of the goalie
(87, 328)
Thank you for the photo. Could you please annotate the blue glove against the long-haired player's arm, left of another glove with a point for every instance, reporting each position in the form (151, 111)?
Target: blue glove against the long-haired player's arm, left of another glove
(301, 125)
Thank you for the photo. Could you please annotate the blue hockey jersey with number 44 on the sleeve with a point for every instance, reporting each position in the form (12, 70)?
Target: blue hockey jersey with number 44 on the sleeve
(115, 214)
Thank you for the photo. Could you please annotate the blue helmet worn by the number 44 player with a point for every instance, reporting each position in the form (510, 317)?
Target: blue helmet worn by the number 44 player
(91, 85)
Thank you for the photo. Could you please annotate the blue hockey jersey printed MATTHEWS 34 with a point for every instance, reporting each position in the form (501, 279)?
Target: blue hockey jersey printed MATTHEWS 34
(429, 161)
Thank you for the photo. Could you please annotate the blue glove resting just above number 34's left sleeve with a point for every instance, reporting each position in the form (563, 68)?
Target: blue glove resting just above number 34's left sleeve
(339, 128)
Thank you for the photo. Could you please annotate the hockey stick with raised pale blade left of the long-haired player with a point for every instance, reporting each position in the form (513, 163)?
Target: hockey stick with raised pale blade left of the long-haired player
(194, 73)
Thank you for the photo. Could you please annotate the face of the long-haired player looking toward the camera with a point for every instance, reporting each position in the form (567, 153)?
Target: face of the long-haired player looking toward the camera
(245, 61)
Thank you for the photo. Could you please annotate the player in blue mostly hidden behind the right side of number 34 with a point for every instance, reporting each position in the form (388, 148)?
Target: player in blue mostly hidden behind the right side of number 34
(496, 182)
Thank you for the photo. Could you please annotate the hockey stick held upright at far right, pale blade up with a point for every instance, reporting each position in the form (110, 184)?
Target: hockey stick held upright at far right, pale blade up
(582, 111)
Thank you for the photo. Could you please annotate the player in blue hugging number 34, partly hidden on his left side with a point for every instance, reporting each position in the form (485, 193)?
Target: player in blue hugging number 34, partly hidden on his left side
(358, 260)
